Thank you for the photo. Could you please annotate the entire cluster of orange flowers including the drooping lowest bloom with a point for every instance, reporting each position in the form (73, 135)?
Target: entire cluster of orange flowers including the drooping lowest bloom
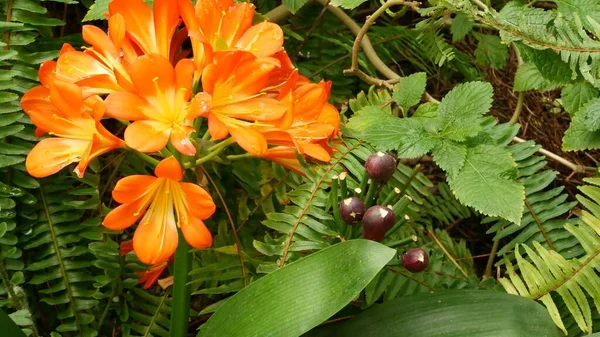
(236, 75)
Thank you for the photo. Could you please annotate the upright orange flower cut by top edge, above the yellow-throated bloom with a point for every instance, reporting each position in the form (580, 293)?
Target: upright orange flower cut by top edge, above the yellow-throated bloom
(150, 30)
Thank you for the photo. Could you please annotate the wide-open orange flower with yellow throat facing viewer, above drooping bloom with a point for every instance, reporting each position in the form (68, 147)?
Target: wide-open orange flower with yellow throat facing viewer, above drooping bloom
(159, 107)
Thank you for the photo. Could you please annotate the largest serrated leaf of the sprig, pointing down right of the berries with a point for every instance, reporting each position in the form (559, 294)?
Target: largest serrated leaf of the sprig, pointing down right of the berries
(487, 183)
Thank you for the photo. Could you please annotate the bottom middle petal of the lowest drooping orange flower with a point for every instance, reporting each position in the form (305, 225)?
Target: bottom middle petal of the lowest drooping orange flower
(156, 237)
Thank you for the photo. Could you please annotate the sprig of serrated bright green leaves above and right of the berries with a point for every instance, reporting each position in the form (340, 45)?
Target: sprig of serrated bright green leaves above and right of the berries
(456, 134)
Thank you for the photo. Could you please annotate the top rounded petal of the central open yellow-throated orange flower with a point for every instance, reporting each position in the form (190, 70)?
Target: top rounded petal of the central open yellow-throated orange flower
(152, 75)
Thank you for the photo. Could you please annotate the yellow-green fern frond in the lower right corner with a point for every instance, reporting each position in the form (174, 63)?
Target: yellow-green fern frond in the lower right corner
(575, 280)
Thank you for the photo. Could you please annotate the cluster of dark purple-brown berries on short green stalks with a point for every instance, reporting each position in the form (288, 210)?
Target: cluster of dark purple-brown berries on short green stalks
(378, 220)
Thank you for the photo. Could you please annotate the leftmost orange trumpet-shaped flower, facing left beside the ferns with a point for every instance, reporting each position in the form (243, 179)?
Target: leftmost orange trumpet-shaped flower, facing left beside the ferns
(79, 136)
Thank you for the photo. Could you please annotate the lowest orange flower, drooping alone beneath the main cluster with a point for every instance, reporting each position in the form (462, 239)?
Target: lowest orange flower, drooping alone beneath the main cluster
(157, 200)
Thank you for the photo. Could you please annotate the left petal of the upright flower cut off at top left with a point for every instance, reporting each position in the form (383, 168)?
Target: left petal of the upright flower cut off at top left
(139, 22)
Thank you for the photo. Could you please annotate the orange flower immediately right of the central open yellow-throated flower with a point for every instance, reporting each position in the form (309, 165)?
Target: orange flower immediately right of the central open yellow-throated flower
(234, 99)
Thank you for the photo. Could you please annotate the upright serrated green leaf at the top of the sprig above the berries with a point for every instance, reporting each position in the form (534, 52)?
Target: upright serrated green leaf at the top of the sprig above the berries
(461, 109)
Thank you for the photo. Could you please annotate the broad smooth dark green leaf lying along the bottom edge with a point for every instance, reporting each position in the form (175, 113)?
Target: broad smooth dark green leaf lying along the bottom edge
(451, 313)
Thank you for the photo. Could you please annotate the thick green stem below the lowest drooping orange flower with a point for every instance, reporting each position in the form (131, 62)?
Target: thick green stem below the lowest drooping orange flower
(181, 290)
